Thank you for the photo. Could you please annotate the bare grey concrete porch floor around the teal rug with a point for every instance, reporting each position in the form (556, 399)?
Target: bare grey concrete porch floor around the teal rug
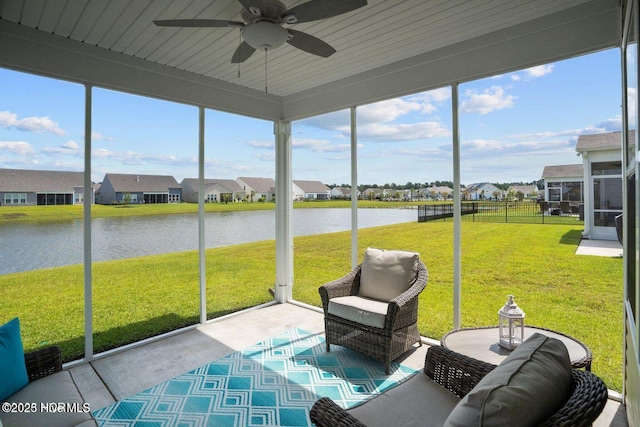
(124, 373)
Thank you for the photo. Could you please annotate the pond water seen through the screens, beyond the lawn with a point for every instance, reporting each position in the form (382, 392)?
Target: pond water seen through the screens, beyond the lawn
(32, 246)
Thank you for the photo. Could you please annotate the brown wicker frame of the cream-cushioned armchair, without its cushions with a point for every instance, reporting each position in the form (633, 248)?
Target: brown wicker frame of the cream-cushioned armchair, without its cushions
(399, 332)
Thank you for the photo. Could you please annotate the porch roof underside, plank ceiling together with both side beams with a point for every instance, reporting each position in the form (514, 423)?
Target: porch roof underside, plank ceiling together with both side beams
(384, 50)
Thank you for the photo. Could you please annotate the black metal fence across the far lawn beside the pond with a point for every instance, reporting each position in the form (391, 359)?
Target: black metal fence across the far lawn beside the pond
(521, 212)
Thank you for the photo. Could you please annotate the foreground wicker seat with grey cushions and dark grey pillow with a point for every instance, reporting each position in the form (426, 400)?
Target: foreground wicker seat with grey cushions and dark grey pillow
(535, 385)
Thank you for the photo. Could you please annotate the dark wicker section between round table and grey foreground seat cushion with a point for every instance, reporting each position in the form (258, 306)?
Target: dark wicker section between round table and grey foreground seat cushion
(455, 372)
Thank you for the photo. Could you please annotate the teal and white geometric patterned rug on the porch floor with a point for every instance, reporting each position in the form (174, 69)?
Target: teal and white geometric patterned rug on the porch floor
(275, 382)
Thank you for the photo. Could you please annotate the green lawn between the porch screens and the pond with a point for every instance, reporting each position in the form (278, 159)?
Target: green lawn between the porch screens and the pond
(139, 297)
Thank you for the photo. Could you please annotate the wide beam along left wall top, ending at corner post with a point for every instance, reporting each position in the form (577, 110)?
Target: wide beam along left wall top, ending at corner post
(29, 50)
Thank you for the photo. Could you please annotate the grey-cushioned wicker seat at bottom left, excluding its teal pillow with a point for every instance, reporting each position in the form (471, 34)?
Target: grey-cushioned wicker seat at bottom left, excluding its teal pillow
(51, 397)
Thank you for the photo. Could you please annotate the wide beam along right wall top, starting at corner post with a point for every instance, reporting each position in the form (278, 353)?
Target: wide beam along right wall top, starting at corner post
(569, 33)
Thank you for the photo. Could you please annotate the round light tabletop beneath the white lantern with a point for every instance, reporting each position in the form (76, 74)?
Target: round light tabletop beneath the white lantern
(482, 344)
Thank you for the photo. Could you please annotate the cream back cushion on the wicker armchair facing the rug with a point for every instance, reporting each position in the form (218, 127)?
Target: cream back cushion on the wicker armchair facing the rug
(387, 274)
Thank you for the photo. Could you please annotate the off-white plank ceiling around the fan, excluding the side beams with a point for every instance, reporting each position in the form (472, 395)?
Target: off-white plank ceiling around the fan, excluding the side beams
(377, 35)
